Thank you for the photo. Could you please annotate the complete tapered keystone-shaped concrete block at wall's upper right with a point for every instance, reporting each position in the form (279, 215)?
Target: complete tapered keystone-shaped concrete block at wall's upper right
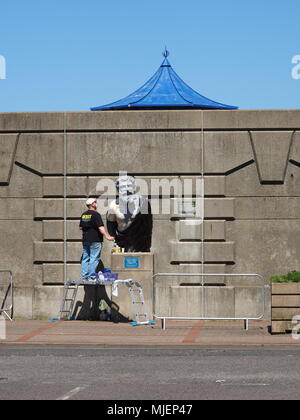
(271, 150)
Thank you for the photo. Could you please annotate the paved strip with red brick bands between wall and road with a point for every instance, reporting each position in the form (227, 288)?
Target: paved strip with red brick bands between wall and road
(109, 334)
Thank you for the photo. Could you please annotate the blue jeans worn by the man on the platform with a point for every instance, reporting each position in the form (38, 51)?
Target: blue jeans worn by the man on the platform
(90, 259)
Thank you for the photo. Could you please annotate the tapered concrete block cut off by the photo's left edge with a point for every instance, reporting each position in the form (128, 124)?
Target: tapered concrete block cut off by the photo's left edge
(7, 150)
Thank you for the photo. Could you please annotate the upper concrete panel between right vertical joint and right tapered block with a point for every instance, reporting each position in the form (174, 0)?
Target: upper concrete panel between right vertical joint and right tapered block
(228, 149)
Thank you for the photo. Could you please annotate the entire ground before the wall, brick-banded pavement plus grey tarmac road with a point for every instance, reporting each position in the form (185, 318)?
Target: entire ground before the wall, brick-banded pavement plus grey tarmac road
(150, 367)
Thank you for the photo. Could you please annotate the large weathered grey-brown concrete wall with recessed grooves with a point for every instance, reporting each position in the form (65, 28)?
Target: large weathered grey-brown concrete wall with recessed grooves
(252, 196)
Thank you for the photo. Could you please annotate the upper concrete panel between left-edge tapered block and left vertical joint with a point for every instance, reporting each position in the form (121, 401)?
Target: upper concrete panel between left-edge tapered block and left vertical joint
(42, 153)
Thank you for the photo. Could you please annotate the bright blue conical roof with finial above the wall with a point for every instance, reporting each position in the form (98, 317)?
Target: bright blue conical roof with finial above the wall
(165, 89)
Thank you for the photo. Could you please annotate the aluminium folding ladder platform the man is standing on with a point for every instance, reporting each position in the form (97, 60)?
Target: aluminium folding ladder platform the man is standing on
(135, 291)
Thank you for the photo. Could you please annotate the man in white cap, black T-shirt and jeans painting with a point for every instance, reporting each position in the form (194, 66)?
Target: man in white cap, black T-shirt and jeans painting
(93, 231)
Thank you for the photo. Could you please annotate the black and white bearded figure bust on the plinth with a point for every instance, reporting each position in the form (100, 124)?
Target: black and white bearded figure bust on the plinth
(129, 218)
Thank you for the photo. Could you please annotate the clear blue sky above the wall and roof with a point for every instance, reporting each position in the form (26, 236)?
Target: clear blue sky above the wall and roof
(70, 55)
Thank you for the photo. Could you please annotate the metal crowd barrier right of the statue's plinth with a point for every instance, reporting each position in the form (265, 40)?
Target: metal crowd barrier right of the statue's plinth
(245, 319)
